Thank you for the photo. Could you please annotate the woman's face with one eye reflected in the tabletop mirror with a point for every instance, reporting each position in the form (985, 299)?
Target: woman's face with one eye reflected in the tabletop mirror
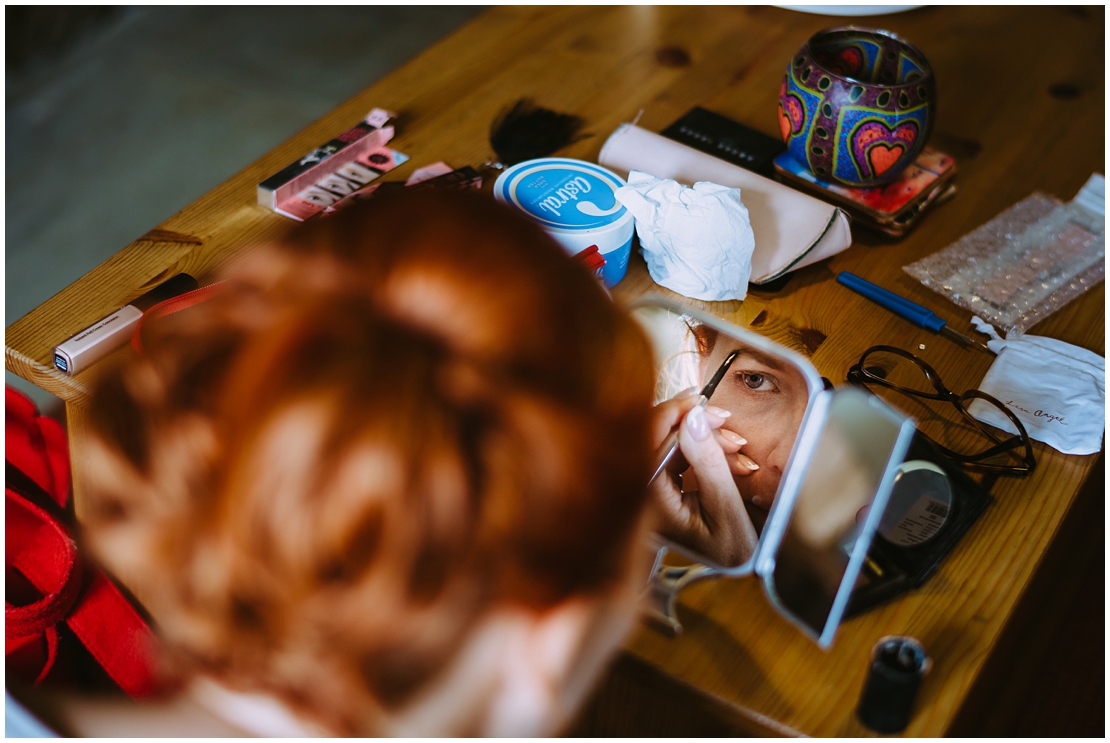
(768, 398)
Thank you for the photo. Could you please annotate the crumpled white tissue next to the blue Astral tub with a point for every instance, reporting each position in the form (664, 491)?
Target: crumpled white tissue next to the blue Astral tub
(698, 242)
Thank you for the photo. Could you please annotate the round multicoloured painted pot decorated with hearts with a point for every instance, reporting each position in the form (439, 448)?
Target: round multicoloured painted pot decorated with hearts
(857, 106)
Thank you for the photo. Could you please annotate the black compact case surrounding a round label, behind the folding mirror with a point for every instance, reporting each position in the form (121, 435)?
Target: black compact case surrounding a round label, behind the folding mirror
(891, 569)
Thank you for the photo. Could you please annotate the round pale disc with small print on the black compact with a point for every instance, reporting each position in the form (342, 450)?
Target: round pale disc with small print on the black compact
(920, 505)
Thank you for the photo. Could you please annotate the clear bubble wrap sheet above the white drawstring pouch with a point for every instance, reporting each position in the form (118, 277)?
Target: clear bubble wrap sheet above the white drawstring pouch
(1022, 266)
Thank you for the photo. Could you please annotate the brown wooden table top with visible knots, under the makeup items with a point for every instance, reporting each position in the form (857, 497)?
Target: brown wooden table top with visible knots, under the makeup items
(1021, 107)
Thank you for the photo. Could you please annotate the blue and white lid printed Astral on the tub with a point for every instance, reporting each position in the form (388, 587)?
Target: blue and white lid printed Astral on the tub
(562, 194)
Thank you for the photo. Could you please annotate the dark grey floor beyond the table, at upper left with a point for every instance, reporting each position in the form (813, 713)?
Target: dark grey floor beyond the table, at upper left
(117, 118)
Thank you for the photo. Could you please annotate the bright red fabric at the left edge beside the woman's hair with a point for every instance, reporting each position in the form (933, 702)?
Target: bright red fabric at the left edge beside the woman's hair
(47, 584)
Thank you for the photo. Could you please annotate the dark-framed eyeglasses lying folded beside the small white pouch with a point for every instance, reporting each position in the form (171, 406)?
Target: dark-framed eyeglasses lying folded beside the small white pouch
(904, 373)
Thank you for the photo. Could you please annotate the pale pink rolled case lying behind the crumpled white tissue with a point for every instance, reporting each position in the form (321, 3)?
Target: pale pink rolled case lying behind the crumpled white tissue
(792, 229)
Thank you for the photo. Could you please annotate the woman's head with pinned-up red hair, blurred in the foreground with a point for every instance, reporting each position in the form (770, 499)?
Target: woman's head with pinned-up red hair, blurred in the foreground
(391, 474)
